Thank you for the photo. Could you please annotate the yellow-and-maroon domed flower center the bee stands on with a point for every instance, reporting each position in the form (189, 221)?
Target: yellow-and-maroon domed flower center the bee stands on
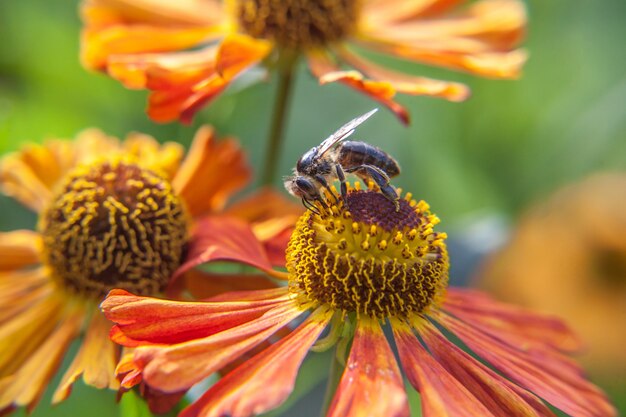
(368, 258)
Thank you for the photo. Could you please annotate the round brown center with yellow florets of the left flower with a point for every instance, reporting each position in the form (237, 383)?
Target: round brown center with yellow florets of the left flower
(114, 225)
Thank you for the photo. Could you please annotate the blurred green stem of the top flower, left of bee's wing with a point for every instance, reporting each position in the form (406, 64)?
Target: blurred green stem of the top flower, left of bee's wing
(286, 73)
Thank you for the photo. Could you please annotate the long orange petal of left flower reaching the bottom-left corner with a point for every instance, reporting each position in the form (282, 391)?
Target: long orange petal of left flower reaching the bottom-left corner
(26, 386)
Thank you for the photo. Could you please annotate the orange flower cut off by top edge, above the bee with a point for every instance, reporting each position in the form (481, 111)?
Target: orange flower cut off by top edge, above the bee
(187, 52)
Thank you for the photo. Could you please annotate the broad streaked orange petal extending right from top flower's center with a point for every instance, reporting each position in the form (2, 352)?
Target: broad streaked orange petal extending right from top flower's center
(481, 40)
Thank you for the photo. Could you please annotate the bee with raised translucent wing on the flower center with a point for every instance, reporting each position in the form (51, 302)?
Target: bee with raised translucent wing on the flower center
(335, 157)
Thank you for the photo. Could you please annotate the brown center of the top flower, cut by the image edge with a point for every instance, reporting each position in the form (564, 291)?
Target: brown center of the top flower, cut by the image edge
(298, 23)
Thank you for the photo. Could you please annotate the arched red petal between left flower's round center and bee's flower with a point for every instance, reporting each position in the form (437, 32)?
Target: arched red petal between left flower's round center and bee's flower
(224, 239)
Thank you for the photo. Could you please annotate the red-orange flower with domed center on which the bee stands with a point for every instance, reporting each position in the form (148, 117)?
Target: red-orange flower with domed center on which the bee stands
(353, 268)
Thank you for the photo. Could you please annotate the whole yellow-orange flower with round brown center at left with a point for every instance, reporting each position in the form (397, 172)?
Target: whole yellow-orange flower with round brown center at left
(113, 215)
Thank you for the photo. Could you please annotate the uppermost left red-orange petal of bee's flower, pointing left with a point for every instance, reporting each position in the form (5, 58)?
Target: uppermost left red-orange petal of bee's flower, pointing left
(145, 320)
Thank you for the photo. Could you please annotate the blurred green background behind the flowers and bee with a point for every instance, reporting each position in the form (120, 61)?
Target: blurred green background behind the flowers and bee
(512, 143)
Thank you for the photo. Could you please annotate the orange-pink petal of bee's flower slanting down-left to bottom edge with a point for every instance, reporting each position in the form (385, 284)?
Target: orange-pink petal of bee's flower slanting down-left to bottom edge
(263, 382)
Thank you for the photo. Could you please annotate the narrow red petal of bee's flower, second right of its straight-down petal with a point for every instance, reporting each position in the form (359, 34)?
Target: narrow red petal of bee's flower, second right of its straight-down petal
(498, 394)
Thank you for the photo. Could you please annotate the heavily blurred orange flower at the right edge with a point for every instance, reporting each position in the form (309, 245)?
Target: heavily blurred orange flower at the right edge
(568, 257)
